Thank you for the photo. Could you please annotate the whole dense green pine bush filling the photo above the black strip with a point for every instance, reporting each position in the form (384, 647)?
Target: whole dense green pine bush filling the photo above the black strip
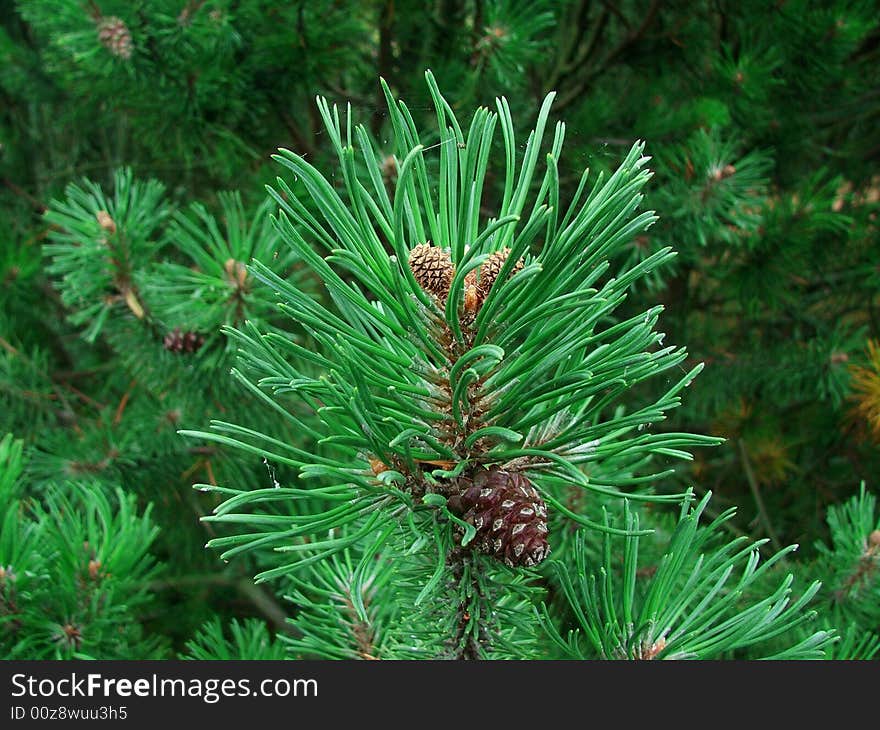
(443, 333)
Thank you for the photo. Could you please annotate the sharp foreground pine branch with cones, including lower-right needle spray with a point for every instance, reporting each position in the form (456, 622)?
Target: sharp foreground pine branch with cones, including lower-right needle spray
(422, 464)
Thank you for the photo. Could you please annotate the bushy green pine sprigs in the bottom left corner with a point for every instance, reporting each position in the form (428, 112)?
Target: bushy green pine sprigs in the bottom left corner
(75, 568)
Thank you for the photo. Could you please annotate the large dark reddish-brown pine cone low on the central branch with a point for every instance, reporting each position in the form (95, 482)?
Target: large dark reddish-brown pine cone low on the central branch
(508, 513)
